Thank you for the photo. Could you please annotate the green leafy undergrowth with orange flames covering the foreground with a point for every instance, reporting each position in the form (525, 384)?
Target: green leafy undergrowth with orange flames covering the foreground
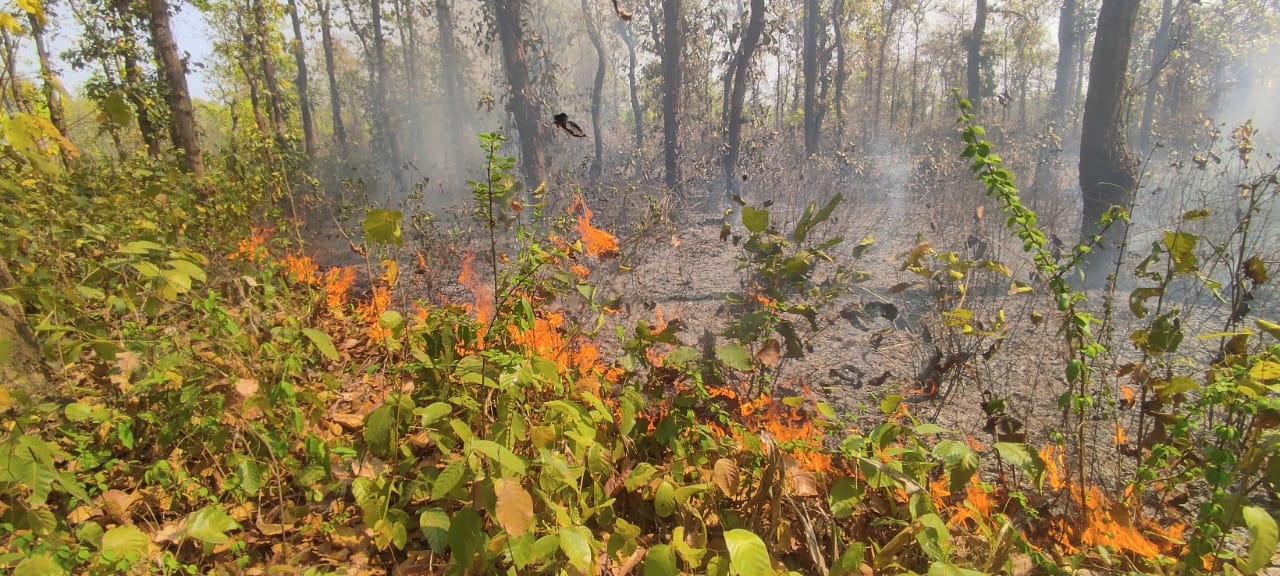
(220, 404)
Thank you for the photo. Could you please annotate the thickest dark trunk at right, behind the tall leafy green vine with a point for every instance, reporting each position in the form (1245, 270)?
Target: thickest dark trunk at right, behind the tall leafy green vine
(1108, 167)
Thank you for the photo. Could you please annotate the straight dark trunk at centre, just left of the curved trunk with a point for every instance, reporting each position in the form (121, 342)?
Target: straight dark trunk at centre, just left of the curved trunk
(673, 80)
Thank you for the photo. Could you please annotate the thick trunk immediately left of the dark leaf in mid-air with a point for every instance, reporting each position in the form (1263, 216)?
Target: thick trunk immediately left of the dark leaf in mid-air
(522, 104)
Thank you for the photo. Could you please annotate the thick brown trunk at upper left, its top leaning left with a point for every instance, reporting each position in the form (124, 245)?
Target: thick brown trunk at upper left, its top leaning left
(182, 113)
